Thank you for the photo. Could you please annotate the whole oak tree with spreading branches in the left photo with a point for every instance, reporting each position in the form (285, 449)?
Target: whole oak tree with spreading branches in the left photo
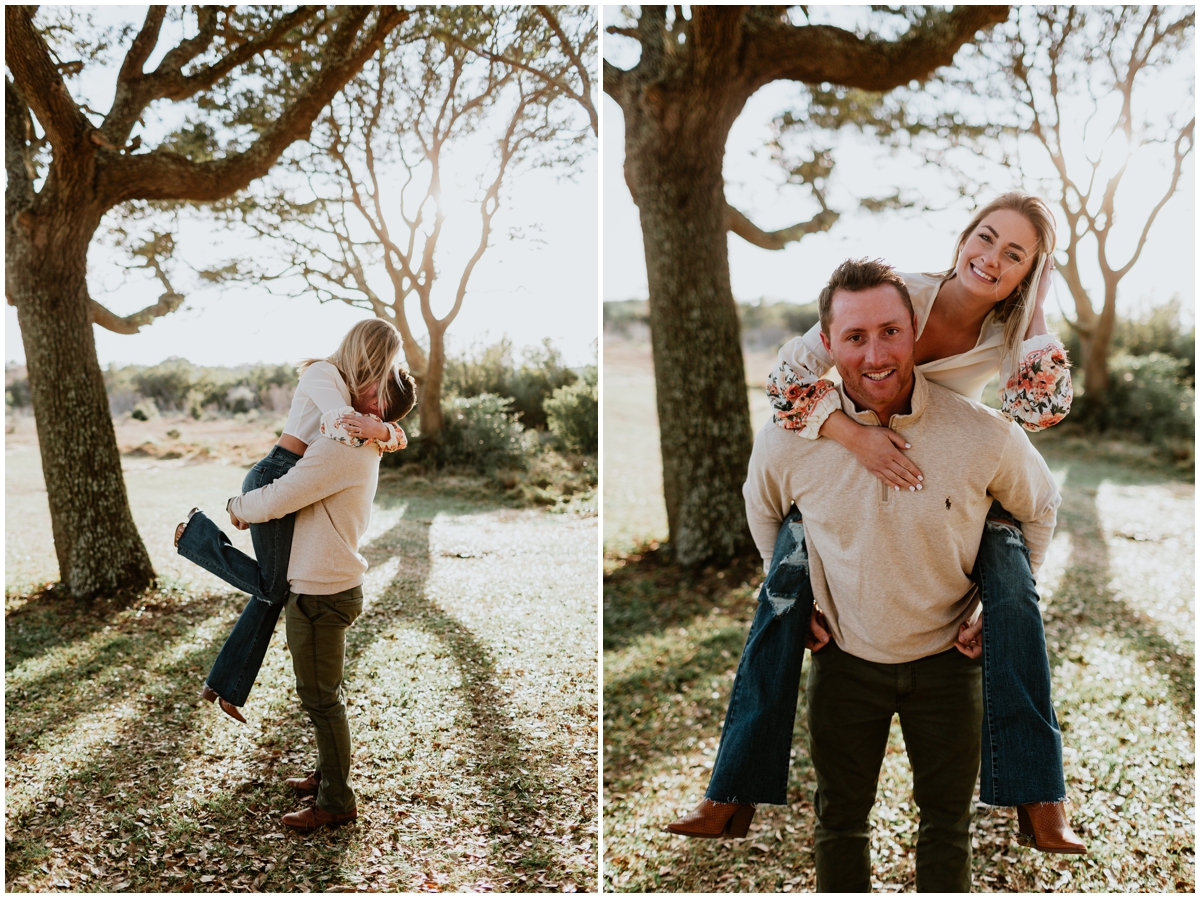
(69, 165)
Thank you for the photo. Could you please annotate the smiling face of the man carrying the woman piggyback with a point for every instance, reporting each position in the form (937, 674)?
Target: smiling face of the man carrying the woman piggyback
(872, 343)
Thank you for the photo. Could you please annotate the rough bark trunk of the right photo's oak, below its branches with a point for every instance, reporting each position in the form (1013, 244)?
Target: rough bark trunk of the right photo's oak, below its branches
(674, 153)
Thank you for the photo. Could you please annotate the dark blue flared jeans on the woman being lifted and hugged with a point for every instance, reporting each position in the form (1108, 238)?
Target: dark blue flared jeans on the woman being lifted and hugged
(266, 578)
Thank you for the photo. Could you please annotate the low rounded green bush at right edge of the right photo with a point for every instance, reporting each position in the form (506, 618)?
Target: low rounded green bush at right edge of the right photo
(1149, 399)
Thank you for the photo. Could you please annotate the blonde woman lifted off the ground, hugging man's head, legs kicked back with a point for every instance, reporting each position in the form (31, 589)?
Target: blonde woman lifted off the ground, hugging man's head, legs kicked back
(340, 398)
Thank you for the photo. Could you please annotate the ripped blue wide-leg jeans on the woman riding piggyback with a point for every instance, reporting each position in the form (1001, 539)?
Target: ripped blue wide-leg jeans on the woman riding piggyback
(1022, 747)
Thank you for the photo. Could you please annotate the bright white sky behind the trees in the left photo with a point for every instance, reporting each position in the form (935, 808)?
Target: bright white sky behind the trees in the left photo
(542, 286)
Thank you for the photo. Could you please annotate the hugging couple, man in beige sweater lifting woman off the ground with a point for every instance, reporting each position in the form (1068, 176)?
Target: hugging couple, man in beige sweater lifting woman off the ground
(307, 506)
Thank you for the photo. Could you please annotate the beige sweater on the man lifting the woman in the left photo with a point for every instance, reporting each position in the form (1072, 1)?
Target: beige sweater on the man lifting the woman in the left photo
(332, 489)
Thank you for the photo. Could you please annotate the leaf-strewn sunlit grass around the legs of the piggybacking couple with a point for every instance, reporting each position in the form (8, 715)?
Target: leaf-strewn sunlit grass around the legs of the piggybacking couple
(1119, 609)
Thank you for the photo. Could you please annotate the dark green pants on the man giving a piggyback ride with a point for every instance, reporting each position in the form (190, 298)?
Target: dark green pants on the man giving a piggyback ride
(851, 703)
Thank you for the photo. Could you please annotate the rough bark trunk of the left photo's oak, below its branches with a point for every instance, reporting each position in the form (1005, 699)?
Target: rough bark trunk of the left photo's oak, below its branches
(98, 546)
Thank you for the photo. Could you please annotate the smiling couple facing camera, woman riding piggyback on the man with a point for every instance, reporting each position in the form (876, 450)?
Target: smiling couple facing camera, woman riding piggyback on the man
(902, 524)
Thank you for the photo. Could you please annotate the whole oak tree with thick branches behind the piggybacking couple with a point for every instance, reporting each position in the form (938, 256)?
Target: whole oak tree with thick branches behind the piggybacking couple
(694, 77)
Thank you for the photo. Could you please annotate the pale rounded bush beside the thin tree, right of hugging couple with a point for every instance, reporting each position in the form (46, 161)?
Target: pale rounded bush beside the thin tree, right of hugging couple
(483, 434)
